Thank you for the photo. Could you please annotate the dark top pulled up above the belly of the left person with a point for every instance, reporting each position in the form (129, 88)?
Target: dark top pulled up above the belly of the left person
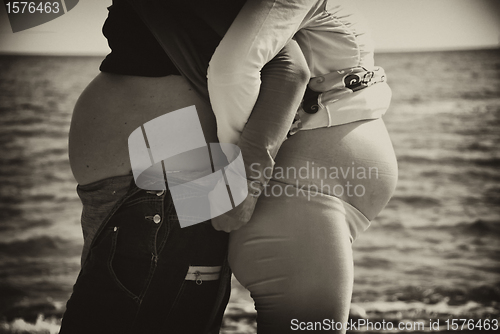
(191, 30)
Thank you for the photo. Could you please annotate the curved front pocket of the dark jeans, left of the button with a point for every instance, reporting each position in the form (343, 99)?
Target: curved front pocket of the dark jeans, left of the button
(131, 271)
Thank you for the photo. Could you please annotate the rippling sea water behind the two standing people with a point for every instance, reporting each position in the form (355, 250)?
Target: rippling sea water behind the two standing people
(434, 252)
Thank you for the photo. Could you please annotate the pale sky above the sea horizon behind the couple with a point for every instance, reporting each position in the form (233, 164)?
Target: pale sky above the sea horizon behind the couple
(397, 25)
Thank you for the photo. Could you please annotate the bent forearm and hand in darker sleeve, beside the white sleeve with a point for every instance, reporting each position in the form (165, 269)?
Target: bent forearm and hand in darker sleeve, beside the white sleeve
(284, 80)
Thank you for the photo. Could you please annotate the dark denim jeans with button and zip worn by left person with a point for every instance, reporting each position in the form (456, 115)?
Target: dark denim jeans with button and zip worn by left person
(140, 275)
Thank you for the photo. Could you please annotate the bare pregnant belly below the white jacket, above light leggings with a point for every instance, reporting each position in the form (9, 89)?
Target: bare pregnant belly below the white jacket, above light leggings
(354, 162)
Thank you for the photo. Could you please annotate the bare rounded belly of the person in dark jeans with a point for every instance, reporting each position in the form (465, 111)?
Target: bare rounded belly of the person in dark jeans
(111, 107)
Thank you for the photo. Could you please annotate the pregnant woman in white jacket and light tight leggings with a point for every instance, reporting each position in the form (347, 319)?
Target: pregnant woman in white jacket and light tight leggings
(330, 179)
